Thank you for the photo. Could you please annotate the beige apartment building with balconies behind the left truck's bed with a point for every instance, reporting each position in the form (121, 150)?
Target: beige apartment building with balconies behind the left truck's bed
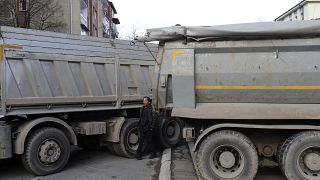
(91, 18)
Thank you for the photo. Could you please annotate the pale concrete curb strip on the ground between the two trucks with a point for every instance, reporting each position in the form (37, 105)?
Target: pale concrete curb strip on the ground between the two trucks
(165, 170)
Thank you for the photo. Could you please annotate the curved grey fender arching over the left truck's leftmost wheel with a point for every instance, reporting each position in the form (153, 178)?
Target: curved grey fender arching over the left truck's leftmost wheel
(23, 131)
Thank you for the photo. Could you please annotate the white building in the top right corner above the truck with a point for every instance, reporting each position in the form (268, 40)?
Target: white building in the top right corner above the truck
(305, 10)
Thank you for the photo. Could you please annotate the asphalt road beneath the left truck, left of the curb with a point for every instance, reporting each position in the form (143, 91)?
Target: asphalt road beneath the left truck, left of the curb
(84, 165)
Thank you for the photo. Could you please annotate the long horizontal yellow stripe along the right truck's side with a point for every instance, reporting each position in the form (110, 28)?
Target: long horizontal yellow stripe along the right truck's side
(259, 87)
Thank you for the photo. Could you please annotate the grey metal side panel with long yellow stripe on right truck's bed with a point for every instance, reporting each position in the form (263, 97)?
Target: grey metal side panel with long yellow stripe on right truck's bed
(265, 71)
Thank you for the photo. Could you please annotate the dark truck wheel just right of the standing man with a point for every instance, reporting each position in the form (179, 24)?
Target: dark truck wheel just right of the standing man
(170, 132)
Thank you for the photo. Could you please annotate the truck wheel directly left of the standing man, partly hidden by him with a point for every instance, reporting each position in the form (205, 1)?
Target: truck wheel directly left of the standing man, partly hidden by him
(129, 139)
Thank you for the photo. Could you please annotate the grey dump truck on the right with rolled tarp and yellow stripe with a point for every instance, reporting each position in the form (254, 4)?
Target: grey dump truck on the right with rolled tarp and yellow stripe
(247, 94)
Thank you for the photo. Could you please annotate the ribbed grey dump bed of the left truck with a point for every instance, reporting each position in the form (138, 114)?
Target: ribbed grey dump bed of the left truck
(46, 72)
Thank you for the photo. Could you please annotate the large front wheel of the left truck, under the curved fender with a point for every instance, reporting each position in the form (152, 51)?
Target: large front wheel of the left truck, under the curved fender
(47, 151)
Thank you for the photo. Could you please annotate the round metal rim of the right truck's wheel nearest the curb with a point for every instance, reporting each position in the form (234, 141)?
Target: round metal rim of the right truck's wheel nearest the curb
(227, 161)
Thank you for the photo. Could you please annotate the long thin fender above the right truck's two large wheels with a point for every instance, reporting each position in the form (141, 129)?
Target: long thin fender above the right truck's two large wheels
(214, 128)
